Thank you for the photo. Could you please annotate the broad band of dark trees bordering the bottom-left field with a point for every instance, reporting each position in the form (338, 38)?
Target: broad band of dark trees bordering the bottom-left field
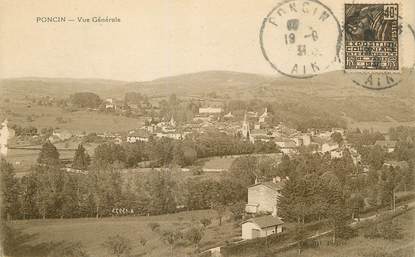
(49, 191)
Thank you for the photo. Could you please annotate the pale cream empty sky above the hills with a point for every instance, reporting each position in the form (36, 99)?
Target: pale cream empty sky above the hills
(155, 38)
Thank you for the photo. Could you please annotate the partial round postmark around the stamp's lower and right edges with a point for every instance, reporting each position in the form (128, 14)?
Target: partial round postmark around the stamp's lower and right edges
(386, 79)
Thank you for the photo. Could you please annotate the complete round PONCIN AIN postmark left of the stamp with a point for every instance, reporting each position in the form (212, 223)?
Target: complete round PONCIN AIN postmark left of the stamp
(301, 38)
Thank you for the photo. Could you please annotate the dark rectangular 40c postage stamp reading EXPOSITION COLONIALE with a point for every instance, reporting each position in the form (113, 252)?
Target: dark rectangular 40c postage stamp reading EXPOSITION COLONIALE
(372, 37)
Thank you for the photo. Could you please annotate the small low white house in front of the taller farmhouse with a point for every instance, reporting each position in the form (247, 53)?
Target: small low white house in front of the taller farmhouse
(261, 227)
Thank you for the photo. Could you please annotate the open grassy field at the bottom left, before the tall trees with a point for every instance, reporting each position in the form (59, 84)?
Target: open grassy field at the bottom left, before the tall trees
(92, 233)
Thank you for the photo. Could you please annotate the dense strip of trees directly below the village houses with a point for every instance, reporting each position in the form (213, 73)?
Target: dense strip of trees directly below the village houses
(165, 151)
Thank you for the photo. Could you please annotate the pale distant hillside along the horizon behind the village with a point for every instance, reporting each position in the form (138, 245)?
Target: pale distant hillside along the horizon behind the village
(333, 92)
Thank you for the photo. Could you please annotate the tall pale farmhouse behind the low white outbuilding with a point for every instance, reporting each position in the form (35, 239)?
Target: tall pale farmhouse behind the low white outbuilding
(263, 197)
